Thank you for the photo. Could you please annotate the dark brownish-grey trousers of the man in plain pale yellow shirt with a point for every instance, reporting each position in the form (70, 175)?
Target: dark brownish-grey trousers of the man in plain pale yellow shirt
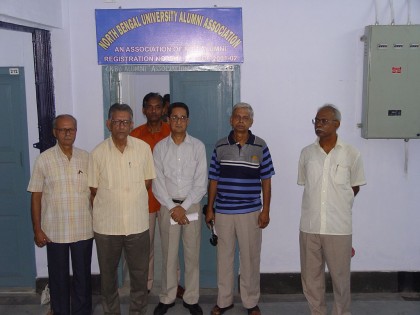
(136, 253)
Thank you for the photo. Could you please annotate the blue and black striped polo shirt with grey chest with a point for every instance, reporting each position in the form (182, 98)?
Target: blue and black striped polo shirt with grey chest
(238, 172)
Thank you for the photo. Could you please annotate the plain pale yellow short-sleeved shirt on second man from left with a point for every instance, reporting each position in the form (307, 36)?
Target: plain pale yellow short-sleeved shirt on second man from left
(121, 206)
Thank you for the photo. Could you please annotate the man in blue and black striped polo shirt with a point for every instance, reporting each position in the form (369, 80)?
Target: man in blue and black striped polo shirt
(240, 169)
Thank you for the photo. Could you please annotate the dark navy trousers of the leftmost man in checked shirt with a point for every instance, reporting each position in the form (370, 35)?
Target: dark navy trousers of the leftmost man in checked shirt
(74, 298)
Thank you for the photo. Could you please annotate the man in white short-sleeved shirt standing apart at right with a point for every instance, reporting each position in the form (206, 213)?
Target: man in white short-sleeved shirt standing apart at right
(331, 172)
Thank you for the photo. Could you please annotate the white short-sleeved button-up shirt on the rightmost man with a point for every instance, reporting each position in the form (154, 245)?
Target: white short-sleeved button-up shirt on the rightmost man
(328, 180)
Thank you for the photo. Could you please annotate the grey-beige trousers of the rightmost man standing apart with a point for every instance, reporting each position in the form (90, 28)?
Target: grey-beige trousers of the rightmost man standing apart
(335, 251)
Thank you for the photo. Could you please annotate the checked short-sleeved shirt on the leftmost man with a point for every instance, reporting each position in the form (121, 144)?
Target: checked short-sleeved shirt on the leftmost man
(65, 211)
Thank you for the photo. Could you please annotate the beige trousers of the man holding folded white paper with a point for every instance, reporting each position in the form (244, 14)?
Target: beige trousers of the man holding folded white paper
(170, 238)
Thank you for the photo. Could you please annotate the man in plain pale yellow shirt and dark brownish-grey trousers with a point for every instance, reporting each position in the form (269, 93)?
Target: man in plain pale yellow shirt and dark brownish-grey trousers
(120, 172)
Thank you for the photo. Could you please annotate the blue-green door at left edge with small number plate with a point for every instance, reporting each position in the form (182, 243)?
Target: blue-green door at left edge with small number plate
(17, 258)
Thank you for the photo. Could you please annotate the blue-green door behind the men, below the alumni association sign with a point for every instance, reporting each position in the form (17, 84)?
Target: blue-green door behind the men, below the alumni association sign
(210, 96)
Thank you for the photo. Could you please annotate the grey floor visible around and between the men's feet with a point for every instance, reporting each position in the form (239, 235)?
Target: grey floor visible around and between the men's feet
(363, 304)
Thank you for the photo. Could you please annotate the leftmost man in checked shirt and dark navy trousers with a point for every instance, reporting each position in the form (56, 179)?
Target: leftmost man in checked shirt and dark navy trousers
(62, 218)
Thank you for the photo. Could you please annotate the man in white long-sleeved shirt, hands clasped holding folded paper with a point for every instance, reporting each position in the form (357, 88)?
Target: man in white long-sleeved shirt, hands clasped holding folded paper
(180, 184)
